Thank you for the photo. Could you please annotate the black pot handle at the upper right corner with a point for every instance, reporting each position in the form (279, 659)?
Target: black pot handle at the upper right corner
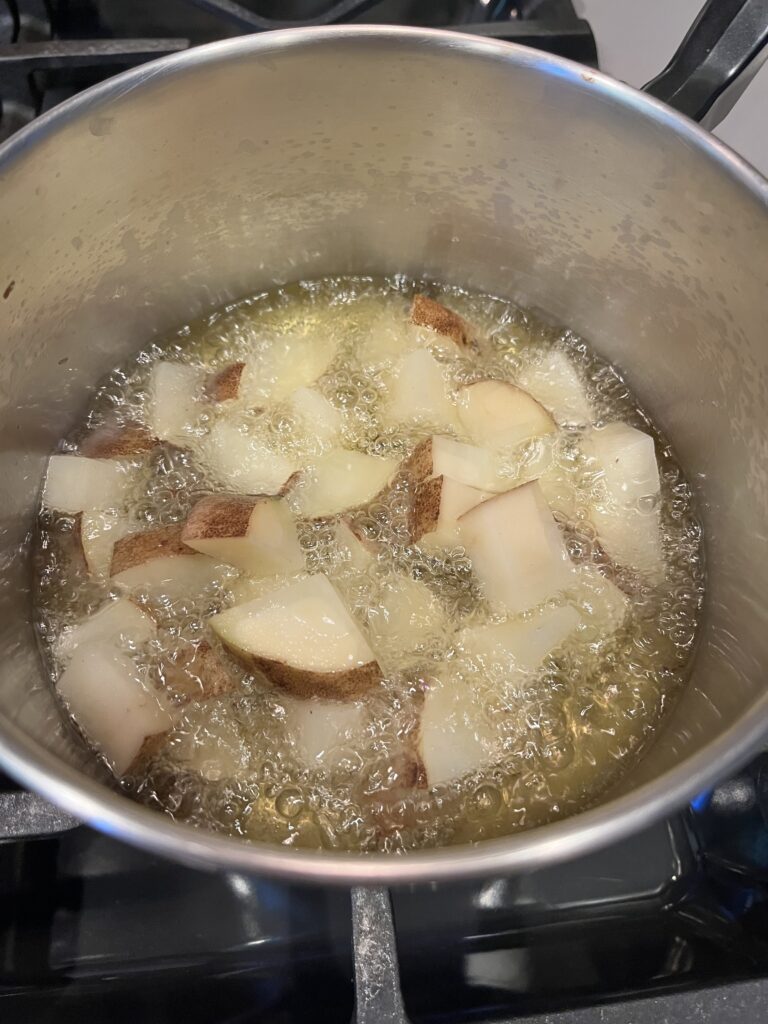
(716, 62)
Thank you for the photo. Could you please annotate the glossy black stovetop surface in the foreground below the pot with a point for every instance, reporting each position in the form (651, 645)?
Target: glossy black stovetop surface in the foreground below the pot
(93, 930)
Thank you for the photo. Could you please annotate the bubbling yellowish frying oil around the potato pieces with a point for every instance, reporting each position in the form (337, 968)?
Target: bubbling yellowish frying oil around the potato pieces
(569, 732)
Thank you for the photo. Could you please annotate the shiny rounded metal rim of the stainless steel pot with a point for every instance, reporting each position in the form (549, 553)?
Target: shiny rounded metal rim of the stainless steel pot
(34, 766)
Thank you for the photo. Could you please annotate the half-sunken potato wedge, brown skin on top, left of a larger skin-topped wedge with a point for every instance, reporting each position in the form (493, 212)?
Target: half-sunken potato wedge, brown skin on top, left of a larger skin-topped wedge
(160, 561)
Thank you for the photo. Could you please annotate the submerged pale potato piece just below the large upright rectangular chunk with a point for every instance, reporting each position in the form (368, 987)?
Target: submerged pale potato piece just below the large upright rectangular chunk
(527, 642)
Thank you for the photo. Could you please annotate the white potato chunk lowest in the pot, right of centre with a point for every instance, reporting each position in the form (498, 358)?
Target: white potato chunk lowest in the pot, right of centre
(455, 736)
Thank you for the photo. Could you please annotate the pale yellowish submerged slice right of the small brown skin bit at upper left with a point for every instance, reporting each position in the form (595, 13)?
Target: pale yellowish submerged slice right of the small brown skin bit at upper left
(288, 363)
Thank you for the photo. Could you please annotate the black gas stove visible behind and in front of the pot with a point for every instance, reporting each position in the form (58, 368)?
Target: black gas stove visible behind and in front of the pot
(93, 930)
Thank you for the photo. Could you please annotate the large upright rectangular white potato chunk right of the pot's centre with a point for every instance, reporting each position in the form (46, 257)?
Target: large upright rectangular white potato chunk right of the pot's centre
(517, 549)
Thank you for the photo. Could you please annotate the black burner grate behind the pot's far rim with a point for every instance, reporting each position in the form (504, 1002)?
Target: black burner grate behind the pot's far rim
(52, 51)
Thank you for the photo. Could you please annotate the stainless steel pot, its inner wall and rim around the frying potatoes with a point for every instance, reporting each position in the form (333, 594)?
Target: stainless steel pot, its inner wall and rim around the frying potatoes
(201, 178)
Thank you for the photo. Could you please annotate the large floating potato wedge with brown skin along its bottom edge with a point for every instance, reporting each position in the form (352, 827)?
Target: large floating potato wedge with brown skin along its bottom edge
(304, 639)
